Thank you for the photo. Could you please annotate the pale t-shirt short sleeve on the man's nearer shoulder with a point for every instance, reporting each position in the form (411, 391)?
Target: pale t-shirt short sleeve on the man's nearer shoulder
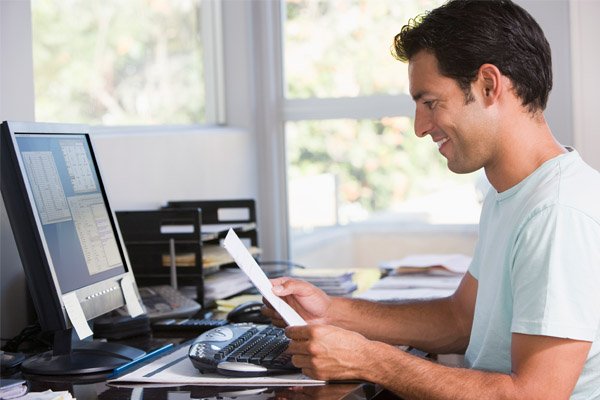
(556, 275)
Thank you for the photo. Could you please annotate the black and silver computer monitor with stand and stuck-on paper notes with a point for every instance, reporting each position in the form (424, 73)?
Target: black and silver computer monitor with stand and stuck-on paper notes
(68, 240)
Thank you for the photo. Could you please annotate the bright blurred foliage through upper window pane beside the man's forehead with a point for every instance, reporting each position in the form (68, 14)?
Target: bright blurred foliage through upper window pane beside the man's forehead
(341, 48)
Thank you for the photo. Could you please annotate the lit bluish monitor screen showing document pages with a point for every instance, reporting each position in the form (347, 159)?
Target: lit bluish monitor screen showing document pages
(71, 208)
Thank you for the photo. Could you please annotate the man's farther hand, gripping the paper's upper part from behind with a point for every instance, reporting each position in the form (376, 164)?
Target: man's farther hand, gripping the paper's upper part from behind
(307, 300)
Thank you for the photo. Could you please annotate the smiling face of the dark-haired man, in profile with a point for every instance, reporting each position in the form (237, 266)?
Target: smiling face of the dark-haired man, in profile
(459, 129)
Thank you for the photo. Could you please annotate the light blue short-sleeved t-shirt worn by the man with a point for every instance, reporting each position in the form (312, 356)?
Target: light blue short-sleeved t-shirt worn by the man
(537, 263)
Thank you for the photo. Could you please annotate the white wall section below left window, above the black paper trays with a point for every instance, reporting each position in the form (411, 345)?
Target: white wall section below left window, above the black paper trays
(145, 170)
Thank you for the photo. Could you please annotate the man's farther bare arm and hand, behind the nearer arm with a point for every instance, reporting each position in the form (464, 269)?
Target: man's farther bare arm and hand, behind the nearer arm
(438, 325)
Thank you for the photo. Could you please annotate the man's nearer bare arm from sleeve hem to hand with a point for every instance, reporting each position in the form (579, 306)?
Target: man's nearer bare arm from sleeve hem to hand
(543, 367)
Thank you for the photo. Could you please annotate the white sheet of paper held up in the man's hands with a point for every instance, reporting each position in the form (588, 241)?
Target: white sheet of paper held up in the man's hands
(247, 263)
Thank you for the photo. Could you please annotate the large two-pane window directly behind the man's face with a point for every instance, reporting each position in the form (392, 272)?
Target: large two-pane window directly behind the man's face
(351, 150)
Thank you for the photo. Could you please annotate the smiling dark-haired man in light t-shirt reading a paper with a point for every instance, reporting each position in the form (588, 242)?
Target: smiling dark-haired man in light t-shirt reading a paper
(528, 311)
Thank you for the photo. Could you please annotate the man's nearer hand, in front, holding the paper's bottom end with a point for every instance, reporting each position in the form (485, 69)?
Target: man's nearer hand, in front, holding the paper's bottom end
(327, 352)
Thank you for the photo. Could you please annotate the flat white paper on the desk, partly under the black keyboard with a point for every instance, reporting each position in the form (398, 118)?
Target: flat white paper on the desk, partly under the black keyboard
(176, 368)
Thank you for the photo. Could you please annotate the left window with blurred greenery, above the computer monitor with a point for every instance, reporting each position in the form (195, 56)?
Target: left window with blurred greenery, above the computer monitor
(135, 62)
